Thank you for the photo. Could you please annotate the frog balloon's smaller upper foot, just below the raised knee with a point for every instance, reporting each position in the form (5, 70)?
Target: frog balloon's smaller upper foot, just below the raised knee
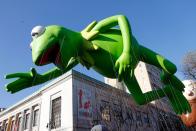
(169, 79)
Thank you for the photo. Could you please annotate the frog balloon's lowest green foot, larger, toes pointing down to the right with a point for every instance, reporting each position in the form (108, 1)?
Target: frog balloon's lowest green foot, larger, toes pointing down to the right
(178, 101)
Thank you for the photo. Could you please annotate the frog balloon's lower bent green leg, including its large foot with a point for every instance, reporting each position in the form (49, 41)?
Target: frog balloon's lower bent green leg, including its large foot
(176, 98)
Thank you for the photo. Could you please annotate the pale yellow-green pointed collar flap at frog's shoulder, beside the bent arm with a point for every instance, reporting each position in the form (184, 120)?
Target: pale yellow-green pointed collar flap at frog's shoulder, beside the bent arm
(88, 33)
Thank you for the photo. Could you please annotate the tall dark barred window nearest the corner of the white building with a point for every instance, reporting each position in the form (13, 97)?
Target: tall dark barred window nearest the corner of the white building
(56, 113)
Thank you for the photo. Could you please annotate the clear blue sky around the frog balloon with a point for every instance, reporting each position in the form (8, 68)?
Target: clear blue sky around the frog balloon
(165, 26)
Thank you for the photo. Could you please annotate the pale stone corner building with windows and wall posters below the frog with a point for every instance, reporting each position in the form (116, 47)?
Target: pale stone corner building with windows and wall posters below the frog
(75, 102)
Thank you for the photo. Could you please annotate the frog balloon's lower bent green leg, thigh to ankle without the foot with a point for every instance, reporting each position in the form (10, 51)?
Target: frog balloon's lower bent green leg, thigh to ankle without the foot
(136, 92)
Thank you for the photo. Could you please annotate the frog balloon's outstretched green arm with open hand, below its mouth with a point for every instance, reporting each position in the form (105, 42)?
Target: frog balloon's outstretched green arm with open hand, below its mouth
(32, 78)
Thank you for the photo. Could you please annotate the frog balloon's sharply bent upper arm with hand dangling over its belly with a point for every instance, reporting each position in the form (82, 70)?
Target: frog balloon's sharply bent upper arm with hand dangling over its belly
(124, 61)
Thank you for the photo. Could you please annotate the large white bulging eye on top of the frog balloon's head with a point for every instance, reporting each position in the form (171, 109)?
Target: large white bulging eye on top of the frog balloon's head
(37, 31)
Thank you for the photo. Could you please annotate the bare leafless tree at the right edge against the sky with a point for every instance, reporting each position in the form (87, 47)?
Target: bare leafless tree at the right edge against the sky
(189, 65)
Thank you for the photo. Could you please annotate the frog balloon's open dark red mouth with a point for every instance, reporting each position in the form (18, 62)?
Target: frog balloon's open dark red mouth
(52, 55)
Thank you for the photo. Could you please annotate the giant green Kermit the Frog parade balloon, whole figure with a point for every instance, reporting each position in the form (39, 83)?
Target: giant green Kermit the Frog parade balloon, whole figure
(114, 53)
